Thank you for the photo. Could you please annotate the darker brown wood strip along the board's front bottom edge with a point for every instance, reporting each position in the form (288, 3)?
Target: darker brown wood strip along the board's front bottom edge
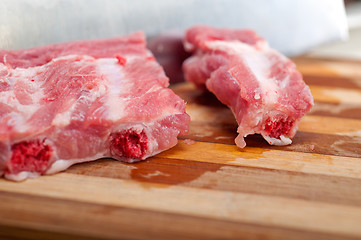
(56, 219)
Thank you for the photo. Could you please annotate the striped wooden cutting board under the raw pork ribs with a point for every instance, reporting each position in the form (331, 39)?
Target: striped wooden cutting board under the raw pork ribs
(206, 187)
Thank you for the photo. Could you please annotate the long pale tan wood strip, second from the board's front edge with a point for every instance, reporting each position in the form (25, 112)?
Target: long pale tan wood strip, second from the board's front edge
(227, 206)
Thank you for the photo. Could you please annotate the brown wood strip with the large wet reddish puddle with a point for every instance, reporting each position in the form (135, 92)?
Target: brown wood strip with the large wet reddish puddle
(313, 187)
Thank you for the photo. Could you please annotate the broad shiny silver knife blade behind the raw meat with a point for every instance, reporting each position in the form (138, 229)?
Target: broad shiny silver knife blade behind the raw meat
(291, 26)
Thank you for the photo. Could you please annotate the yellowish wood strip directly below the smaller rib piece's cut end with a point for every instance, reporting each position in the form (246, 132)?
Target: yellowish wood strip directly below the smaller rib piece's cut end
(265, 158)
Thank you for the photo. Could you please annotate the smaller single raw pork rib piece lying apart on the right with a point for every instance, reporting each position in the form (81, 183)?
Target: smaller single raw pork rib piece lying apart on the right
(262, 87)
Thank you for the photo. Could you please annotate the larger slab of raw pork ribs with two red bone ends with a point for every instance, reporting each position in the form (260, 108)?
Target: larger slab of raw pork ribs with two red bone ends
(78, 108)
